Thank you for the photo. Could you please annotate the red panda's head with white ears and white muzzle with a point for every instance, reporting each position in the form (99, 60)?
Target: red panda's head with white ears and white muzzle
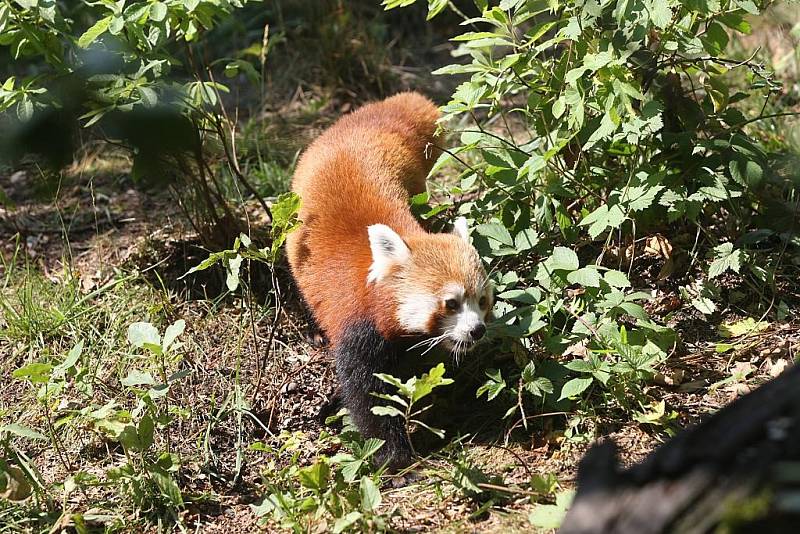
(438, 282)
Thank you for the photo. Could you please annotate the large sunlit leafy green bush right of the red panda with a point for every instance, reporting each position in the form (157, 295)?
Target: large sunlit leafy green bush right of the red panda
(582, 125)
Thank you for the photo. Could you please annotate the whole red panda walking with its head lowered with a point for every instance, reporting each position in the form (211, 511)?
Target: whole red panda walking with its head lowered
(372, 277)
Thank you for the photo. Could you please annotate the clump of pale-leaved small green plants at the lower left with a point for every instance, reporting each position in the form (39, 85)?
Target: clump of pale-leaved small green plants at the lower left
(148, 475)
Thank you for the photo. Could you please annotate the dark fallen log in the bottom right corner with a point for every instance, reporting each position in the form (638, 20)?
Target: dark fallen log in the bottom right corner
(738, 471)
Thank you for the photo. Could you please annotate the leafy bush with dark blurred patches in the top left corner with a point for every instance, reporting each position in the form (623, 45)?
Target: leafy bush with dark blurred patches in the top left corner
(134, 71)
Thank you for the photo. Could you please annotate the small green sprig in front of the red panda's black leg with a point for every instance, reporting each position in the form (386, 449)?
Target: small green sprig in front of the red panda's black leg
(406, 404)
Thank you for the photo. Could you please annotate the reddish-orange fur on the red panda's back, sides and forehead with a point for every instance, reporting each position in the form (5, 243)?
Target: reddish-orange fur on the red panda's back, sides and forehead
(358, 173)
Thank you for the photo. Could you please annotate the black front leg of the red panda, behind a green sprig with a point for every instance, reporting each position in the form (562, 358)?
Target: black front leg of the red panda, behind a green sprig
(361, 353)
